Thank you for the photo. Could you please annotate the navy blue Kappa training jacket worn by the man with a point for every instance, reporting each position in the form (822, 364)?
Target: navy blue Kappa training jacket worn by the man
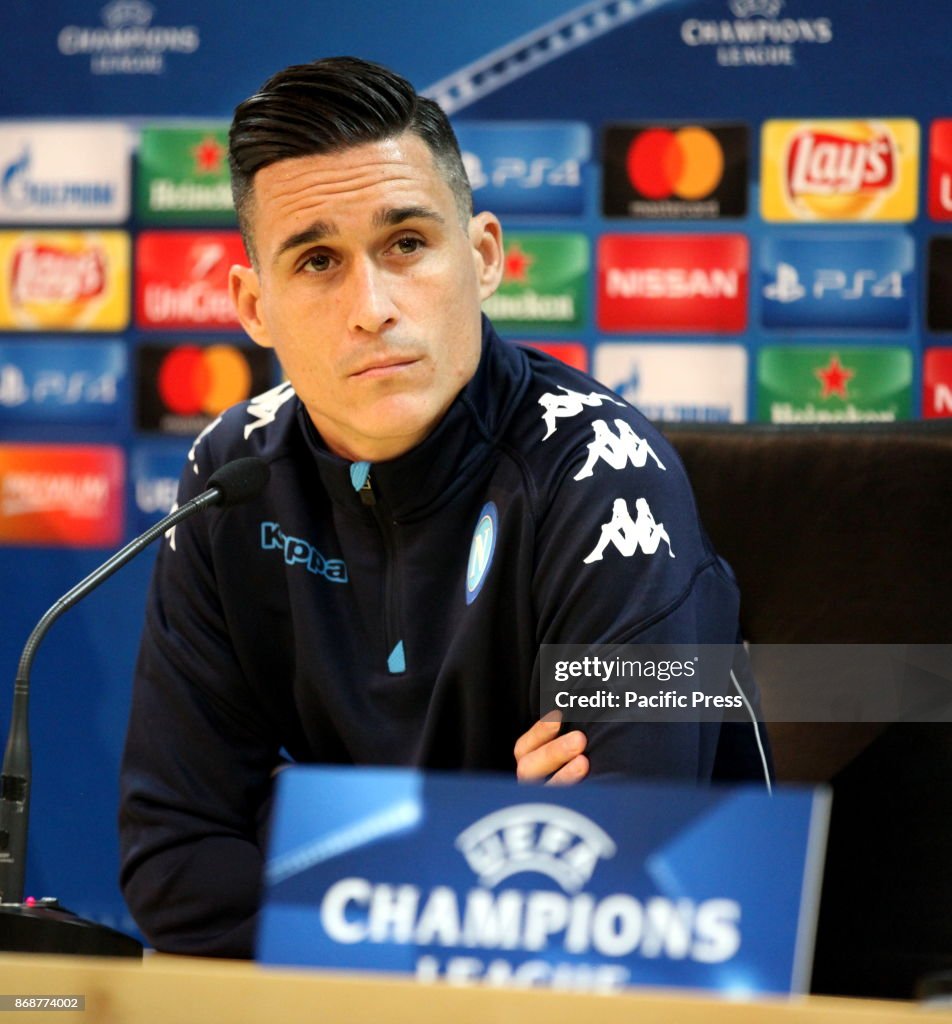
(335, 625)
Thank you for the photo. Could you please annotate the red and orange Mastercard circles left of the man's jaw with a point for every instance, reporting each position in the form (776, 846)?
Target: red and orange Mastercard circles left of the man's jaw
(194, 380)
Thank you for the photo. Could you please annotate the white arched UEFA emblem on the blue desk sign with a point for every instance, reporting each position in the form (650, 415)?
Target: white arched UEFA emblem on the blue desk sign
(556, 842)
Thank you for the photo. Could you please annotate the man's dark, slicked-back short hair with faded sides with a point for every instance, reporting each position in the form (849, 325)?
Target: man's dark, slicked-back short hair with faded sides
(328, 106)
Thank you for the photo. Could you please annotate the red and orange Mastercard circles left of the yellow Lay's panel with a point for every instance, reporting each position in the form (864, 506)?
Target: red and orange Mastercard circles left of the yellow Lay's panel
(686, 163)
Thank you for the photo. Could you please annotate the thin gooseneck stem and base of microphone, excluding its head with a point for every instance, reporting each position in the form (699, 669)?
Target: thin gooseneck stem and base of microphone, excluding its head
(46, 926)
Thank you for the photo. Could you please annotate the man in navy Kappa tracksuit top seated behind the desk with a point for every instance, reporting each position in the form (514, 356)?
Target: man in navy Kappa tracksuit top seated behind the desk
(441, 504)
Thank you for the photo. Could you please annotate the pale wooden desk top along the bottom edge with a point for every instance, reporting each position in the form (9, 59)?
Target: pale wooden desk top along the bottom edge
(186, 991)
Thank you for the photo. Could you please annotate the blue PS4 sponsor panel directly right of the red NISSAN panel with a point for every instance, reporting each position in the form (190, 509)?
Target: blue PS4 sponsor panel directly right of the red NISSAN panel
(838, 281)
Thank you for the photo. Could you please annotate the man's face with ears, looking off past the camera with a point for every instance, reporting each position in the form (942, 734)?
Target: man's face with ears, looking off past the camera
(368, 287)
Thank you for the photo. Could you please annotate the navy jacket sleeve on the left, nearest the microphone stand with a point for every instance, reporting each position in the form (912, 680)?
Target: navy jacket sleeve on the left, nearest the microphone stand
(198, 763)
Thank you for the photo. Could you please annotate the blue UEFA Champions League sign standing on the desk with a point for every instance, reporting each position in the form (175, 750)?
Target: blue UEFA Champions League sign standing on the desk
(599, 887)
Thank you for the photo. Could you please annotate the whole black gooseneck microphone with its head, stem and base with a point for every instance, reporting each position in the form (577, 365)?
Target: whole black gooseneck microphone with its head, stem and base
(232, 485)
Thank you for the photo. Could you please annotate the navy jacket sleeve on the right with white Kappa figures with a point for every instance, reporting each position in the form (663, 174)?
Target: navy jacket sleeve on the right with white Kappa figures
(622, 559)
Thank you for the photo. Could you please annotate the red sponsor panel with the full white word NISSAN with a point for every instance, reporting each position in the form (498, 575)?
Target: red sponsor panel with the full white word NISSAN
(673, 283)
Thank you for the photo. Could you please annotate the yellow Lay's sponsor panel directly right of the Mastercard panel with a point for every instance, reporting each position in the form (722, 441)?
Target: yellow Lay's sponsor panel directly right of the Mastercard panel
(840, 170)
